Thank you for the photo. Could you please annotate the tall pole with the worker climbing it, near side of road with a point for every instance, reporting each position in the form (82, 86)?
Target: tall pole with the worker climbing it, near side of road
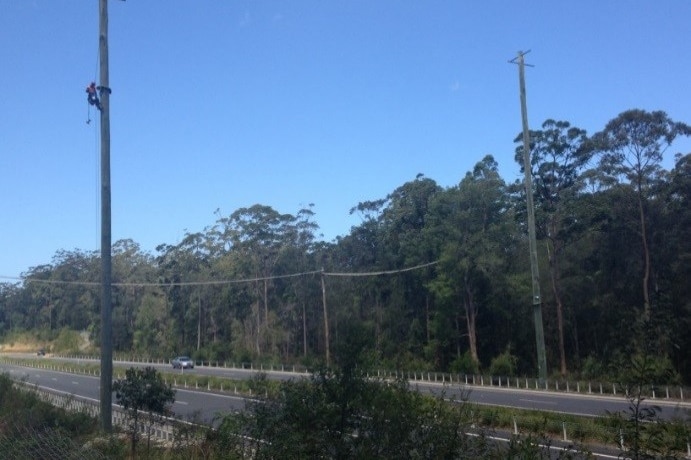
(106, 267)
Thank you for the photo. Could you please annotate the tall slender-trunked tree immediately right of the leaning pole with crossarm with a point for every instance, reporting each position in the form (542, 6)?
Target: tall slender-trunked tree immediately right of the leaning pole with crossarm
(559, 154)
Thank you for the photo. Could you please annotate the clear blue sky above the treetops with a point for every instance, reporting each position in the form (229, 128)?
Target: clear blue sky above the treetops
(221, 104)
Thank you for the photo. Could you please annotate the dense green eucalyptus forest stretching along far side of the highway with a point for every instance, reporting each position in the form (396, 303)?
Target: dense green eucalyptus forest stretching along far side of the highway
(440, 277)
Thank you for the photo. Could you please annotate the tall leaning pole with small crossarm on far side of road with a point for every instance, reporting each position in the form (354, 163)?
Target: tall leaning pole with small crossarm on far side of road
(532, 241)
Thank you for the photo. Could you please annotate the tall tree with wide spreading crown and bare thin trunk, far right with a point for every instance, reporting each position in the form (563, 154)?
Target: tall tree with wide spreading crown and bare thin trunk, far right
(631, 149)
